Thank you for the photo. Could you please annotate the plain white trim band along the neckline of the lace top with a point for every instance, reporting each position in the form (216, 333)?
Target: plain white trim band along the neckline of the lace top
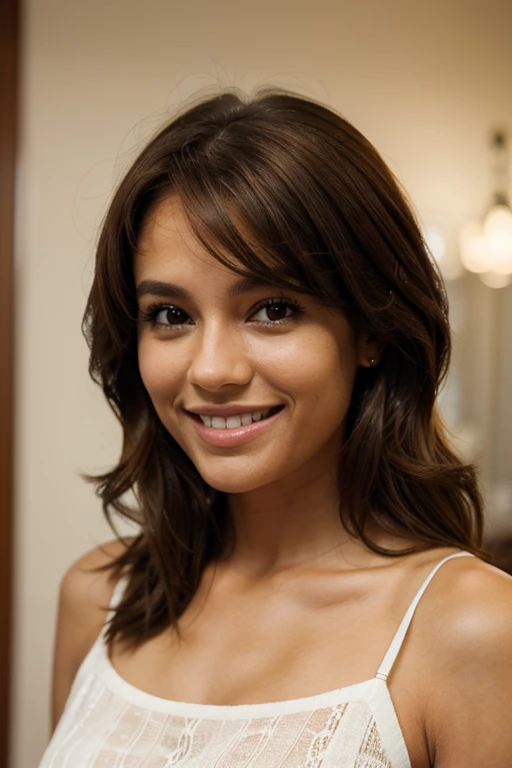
(362, 692)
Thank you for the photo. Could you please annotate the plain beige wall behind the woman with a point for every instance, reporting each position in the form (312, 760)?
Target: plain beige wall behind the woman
(425, 81)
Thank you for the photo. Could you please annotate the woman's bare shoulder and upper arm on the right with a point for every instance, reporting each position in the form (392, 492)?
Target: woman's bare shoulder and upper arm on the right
(467, 628)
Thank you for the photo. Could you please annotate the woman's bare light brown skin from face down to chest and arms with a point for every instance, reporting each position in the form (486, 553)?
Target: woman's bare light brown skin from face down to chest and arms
(300, 607)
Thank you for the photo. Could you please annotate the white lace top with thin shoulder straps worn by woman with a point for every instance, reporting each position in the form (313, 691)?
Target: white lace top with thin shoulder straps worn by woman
(108, 723)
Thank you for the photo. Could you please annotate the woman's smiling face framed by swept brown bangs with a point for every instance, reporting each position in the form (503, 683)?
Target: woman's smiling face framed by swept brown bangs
(209, 343)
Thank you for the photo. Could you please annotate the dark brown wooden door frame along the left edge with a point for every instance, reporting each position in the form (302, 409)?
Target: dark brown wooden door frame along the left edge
(9, 69)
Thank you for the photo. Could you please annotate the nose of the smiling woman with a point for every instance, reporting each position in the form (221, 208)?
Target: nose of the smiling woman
(218, 357)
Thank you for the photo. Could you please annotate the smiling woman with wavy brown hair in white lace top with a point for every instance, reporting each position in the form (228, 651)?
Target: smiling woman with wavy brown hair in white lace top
(269, 329)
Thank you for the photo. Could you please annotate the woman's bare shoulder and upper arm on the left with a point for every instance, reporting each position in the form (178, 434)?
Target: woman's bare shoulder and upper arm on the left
(84, 596)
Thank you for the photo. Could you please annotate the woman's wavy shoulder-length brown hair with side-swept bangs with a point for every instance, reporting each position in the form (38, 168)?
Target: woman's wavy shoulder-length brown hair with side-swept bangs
(282, 187)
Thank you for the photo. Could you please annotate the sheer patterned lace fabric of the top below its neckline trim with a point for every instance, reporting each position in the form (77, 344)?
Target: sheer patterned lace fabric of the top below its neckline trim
(100, 729)
